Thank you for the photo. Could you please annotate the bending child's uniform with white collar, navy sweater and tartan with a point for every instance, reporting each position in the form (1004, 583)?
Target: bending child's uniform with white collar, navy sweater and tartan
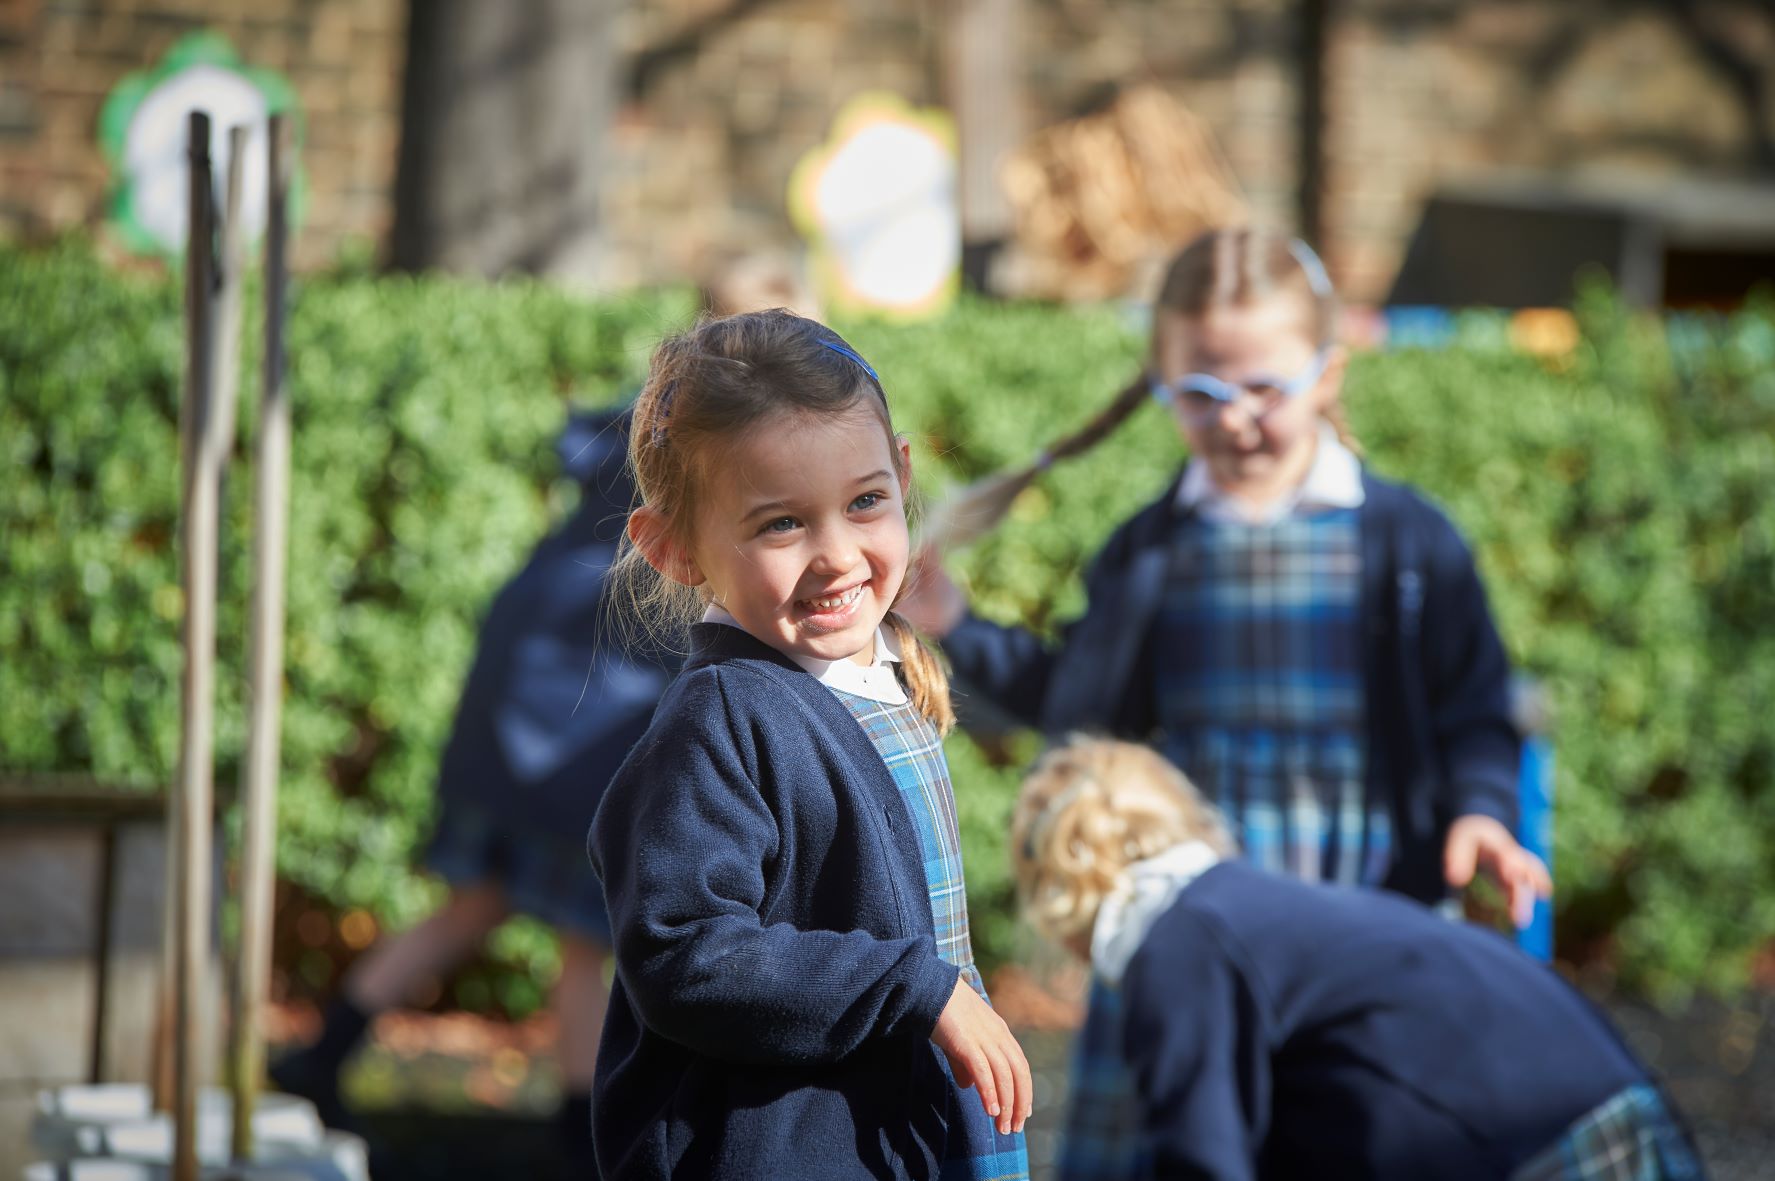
(1250, 1026)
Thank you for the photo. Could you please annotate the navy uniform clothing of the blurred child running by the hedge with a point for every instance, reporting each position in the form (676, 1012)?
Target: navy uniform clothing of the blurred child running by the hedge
(553, 704)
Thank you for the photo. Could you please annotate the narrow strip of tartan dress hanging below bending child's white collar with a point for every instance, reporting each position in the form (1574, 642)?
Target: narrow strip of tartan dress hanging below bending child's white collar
(1101, 1139)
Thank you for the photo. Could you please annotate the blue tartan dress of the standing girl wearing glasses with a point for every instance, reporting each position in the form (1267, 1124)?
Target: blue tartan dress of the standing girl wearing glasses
(1261, 690)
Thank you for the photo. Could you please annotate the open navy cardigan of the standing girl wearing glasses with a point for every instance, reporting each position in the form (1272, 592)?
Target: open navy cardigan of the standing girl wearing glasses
(1440, 736)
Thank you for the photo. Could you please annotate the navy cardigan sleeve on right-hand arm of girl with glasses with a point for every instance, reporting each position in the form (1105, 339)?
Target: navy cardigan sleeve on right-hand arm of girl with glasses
(1469, 679)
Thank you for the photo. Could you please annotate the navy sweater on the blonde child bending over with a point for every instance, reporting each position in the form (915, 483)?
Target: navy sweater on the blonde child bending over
(1281, 1029)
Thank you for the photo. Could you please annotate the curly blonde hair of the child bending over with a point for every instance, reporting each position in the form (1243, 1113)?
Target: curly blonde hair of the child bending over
(1087, 812)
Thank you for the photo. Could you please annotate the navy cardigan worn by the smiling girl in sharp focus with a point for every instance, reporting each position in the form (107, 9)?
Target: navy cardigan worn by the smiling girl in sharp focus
(777, 967)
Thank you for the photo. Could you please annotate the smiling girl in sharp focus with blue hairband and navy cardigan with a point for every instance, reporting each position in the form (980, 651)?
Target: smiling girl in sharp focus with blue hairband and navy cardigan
(796, 992)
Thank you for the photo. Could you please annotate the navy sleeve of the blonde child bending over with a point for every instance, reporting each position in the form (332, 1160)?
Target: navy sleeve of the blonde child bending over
(1199, 1052)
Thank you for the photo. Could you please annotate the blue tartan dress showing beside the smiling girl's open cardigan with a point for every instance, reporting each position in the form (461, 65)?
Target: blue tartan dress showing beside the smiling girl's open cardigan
(913, 752)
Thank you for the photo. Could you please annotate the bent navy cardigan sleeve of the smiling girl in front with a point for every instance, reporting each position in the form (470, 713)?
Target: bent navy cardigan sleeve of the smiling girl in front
(681, 843)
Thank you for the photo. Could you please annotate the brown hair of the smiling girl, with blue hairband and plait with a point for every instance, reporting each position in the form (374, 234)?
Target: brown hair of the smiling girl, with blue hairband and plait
(706, 390)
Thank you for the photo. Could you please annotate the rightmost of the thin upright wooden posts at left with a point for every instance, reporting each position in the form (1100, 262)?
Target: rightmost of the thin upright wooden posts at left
(271, 512)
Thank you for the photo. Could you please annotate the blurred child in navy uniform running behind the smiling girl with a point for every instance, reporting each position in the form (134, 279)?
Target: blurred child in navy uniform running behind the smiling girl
(553, 704)
